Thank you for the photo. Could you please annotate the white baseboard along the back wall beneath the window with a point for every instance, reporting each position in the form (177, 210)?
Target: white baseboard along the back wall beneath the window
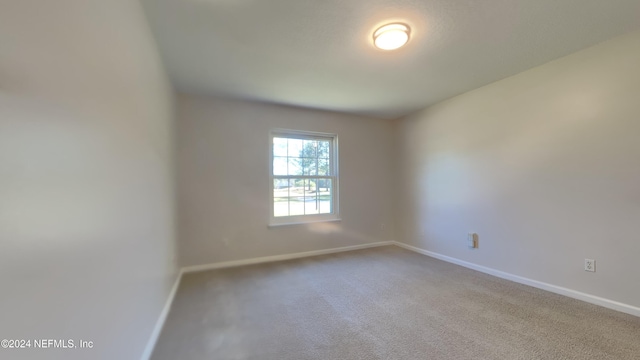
(264, 259)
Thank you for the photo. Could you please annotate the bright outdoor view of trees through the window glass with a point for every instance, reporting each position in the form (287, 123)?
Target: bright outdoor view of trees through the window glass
(302, 181)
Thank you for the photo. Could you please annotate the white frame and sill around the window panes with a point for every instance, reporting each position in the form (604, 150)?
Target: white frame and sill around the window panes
(333, 156)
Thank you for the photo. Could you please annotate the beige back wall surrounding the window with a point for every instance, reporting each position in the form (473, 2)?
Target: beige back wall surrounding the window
(223, 177)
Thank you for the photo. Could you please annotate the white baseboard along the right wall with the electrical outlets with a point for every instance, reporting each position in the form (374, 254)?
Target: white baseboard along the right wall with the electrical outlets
(610, 304)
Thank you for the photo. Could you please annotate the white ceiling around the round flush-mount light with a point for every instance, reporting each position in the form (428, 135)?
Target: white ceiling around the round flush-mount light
(319, 53)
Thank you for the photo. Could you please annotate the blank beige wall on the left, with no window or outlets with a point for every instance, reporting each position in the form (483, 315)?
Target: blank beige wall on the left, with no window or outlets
(87, 245)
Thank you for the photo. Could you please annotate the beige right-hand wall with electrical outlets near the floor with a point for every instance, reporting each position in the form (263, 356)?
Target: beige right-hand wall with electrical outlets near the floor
(544, 166)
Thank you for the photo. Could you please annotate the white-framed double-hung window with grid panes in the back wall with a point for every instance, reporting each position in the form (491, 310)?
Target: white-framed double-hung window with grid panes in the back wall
(304, 177)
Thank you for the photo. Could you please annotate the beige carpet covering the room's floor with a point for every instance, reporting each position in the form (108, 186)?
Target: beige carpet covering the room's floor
(383, 303)
